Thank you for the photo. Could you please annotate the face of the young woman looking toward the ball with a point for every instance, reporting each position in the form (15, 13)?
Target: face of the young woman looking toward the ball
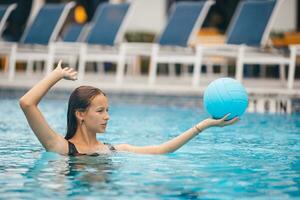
(96, 117)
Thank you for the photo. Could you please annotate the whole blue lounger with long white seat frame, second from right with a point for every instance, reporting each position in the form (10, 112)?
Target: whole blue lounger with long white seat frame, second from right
(174, 43)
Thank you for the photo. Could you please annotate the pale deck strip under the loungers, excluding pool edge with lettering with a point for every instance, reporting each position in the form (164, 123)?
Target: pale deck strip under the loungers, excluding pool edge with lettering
(165, 85)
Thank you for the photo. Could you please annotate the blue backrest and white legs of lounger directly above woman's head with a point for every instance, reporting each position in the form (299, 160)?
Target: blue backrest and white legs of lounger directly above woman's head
(106, 32)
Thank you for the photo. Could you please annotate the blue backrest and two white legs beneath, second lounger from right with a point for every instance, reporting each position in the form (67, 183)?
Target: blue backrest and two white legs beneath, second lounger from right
(185, 21)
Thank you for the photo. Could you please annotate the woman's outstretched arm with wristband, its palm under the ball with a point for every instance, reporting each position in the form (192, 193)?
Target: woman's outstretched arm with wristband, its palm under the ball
(177, 142)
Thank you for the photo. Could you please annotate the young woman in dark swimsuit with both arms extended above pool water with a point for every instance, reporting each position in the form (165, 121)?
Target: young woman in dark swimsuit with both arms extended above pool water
(88, 115)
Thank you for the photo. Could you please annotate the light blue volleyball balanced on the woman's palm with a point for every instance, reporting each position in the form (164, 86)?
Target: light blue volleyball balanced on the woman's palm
(223, 96)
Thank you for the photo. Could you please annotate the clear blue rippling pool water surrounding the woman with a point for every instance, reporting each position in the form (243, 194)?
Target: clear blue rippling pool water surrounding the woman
(257, 158)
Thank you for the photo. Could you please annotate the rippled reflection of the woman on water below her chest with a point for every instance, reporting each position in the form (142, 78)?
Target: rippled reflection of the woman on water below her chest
(70, 174)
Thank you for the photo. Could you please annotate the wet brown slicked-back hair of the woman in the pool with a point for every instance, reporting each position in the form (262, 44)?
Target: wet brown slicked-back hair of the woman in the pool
(79, 100)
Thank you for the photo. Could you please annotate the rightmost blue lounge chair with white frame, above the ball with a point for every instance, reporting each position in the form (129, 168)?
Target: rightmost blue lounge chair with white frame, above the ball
(247, 36)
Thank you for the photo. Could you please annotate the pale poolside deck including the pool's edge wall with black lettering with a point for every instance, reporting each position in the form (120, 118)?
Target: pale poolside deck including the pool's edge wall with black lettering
(265, 95)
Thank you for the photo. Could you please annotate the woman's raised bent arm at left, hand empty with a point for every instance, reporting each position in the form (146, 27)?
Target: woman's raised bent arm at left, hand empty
(29, 104)
